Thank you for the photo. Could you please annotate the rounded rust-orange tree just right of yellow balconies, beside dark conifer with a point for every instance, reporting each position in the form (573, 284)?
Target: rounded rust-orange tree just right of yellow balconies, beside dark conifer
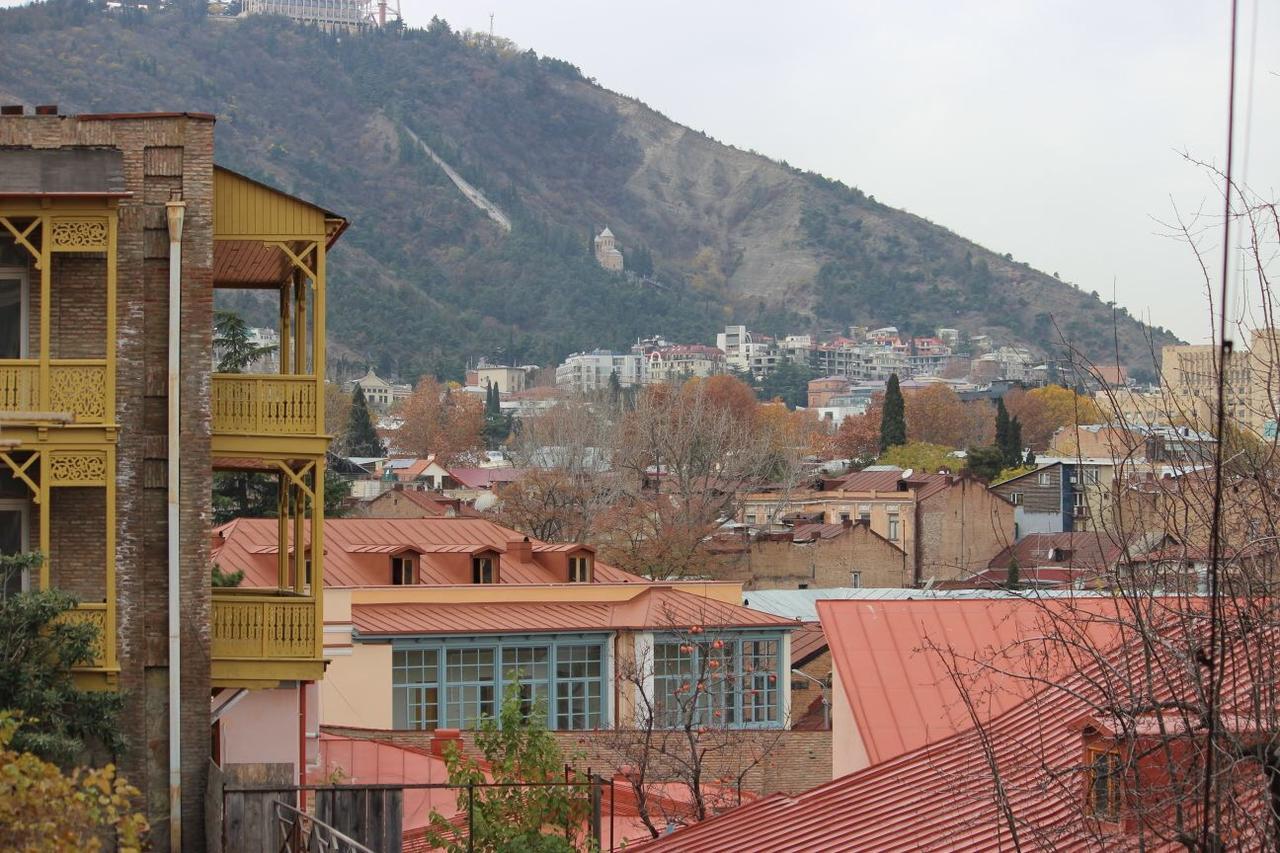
(437, 421)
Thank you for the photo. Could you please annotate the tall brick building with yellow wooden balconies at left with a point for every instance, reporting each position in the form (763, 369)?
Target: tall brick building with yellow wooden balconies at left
(115, 234)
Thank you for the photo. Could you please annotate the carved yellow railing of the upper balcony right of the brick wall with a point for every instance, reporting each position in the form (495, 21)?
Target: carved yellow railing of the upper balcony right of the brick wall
(266, 404)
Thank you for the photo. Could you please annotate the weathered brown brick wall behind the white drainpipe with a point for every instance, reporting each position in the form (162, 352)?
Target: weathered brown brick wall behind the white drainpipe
(186, 167)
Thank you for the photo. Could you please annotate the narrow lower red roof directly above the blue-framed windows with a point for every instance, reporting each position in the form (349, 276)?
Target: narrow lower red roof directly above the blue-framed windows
(652, 609)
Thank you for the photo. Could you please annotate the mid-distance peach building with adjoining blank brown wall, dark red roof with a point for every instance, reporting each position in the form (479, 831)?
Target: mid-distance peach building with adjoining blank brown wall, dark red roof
(949, 527)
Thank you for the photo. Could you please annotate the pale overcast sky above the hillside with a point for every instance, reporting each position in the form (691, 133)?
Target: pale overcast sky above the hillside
(1053, 130)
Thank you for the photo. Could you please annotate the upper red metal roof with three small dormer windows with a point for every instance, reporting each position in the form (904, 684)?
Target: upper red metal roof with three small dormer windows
(356, 553)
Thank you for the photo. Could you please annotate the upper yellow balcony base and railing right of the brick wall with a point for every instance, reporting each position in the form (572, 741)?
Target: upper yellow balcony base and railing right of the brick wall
(268, 413)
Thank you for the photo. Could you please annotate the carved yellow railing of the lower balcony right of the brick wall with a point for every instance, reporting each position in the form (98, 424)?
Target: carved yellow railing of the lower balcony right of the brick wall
(263, 627)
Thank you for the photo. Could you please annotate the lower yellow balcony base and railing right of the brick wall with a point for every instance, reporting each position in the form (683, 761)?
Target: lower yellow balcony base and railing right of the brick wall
(262, 637)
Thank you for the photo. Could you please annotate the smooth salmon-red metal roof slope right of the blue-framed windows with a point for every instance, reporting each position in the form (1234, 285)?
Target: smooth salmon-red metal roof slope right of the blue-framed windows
(888, 658)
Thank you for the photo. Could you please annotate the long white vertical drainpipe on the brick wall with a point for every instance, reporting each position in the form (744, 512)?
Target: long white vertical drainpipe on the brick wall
(175, 212)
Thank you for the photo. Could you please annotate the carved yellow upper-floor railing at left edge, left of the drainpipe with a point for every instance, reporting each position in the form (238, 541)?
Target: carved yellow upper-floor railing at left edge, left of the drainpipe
(76, 386)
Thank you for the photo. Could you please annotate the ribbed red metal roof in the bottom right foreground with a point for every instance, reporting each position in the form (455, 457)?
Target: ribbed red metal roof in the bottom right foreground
(941, 797)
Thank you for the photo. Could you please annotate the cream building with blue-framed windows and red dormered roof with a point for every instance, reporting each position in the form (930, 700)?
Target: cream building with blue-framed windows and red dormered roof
(431, 619)
